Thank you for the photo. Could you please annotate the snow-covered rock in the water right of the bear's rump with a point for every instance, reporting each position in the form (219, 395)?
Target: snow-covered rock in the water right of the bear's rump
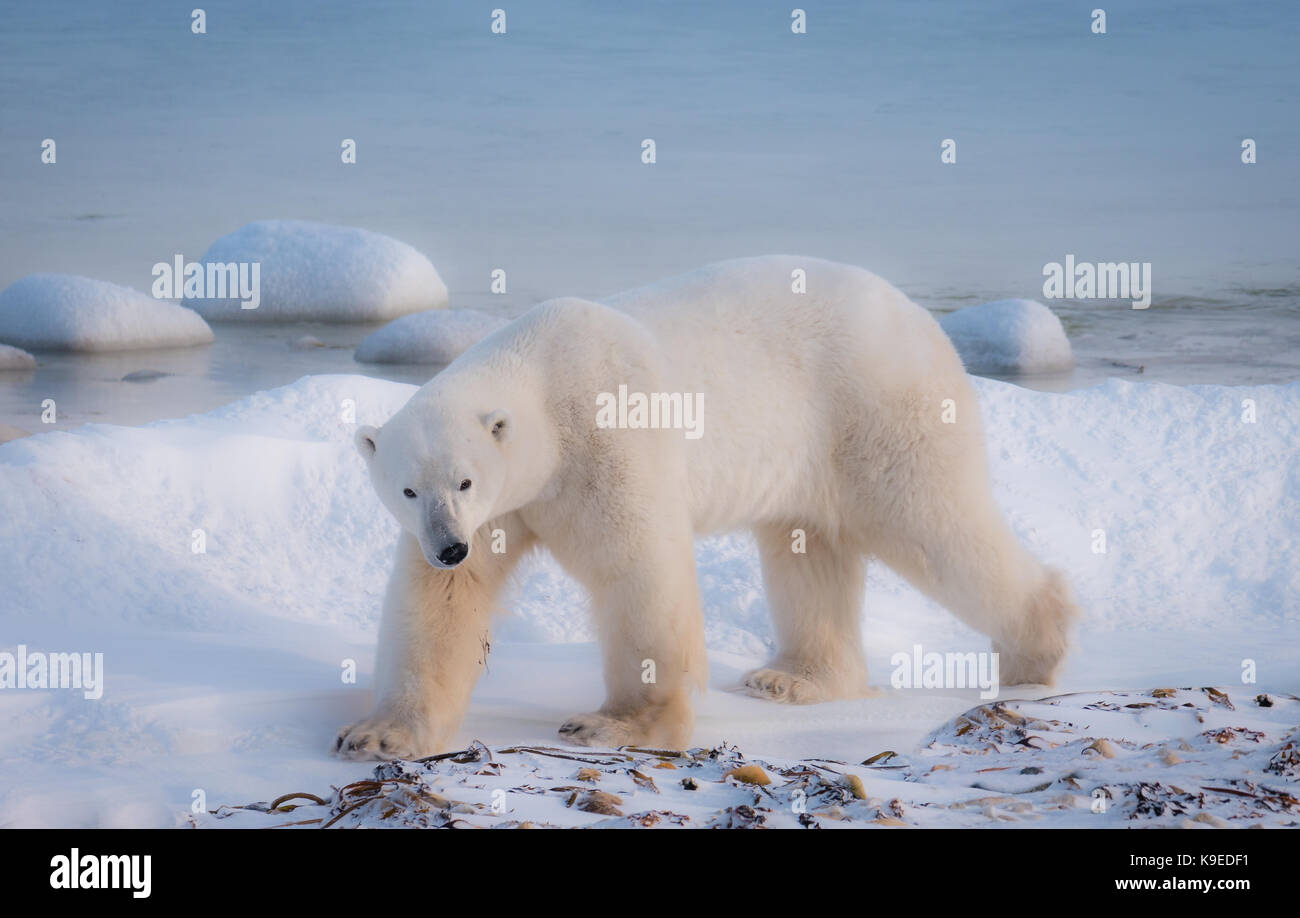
(1009, 336)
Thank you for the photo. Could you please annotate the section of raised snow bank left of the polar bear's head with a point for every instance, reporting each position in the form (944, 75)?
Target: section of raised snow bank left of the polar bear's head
(255, 478)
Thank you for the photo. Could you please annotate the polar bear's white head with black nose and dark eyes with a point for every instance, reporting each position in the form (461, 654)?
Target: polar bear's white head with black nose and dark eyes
(440, 473)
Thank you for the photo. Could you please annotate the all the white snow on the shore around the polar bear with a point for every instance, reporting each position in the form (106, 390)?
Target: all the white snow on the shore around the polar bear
(224, 668)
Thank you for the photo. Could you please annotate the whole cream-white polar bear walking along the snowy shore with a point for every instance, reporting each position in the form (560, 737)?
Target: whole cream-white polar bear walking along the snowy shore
(834, 419)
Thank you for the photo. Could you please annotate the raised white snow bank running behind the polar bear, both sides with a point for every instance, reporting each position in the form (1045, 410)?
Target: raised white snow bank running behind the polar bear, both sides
(1167, 474)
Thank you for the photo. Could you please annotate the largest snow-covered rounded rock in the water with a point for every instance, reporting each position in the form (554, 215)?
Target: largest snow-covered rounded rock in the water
(326, 274)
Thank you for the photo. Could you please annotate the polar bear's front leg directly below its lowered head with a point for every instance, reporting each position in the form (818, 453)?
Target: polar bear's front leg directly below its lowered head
(434, 647)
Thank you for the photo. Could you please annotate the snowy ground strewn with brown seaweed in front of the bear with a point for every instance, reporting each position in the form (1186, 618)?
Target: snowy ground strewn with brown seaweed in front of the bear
(1162, 759)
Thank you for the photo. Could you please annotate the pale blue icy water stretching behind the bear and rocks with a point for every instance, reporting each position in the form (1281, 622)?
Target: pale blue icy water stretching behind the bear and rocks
(523, 151)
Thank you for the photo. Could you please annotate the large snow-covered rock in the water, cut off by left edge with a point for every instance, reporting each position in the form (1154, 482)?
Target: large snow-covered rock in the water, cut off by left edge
(66, 313)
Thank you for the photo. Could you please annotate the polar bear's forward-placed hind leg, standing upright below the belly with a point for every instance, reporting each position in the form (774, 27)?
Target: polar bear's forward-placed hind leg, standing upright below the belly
(816, 597)
